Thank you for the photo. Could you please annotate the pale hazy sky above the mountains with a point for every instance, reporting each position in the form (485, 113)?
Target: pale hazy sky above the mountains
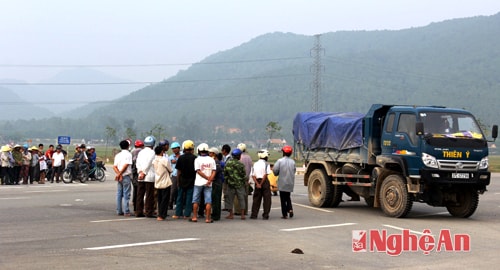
(121, 32)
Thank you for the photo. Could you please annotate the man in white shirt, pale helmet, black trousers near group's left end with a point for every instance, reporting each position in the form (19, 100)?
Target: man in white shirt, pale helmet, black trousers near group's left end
(146, 179)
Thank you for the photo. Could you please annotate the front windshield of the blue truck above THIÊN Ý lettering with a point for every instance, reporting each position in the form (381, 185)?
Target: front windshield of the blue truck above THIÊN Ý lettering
(452, 125)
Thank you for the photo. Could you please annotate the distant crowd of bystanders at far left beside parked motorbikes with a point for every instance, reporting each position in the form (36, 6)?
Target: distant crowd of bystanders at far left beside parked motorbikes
(22, 164)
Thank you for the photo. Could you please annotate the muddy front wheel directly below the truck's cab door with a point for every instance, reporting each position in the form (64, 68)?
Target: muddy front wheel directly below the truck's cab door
(394, 198)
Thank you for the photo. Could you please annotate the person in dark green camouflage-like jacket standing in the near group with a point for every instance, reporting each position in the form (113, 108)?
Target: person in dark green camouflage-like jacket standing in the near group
(234, 176)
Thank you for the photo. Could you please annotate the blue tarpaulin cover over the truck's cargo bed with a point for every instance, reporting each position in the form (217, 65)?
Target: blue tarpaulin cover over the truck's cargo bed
(339, 131)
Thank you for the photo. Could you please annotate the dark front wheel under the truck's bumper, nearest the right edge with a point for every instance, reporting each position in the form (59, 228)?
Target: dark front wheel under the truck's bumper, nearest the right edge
(465, 205)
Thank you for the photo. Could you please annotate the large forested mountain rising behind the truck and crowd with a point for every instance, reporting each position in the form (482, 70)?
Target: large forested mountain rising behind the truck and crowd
(453, 63)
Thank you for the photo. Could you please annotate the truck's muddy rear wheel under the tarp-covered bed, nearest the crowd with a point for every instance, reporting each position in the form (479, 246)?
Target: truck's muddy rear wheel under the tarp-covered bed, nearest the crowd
(320, 189)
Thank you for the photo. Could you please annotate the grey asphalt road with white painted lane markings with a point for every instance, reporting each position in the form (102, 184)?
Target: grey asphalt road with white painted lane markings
(74, 226)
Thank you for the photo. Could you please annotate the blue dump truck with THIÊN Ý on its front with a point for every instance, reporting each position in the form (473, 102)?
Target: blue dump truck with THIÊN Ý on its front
(394, 156)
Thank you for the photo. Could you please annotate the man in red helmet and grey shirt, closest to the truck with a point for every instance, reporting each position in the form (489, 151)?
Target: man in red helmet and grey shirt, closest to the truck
(285, 169)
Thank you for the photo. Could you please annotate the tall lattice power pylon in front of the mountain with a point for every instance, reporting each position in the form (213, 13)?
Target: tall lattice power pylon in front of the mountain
(317, 68)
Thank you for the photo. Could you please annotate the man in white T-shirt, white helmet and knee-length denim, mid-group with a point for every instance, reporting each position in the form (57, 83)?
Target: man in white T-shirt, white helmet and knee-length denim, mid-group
(205, 168)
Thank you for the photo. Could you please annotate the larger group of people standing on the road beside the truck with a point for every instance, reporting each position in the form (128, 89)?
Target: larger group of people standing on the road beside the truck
(199, 183)
